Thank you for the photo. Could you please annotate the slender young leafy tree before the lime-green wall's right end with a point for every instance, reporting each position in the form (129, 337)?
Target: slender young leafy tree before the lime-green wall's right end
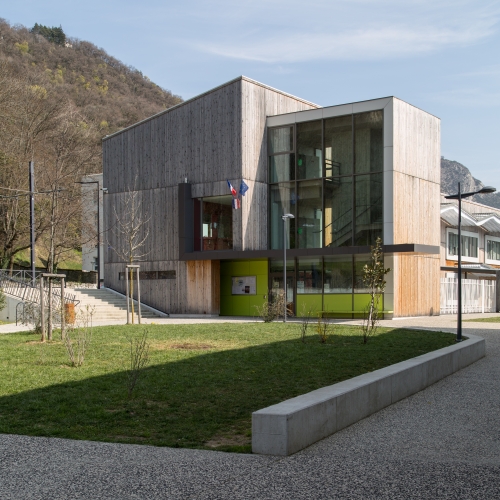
(374, 279)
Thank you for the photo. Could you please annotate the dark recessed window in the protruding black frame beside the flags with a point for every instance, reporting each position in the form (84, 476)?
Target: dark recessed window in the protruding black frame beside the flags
(217, 223)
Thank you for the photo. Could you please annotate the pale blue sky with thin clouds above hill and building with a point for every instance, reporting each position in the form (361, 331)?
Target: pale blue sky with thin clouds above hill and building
(442, 56)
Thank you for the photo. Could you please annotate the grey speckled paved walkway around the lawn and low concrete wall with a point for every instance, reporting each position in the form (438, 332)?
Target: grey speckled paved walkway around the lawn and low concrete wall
(443, 442)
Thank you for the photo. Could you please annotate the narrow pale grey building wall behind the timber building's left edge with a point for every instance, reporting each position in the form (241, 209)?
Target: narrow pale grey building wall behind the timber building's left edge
(91, 194)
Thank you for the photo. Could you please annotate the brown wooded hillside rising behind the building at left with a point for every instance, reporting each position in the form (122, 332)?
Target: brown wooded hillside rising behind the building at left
(58, 98)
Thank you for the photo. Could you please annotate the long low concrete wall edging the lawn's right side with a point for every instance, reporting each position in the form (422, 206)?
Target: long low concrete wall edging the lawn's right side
(294, 424)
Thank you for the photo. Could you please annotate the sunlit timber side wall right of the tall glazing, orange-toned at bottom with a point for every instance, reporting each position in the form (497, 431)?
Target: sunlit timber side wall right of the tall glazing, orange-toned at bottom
(416, 210)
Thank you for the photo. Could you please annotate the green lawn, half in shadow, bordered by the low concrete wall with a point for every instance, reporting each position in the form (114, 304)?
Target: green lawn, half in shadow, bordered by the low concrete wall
(200, 388)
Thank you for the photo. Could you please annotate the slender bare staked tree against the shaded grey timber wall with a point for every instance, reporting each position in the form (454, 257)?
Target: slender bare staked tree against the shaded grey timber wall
(130, 232)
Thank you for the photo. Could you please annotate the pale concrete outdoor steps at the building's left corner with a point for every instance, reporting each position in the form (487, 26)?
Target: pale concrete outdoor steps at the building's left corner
(109, 306)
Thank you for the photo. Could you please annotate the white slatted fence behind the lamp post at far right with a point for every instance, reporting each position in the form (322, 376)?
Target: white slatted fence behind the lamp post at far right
(478, 296)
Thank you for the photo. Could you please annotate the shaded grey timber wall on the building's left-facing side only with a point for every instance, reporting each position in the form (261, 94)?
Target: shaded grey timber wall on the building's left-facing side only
(199, 139)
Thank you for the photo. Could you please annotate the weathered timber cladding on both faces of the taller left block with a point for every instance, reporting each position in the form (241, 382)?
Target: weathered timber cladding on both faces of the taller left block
(217, 136)
